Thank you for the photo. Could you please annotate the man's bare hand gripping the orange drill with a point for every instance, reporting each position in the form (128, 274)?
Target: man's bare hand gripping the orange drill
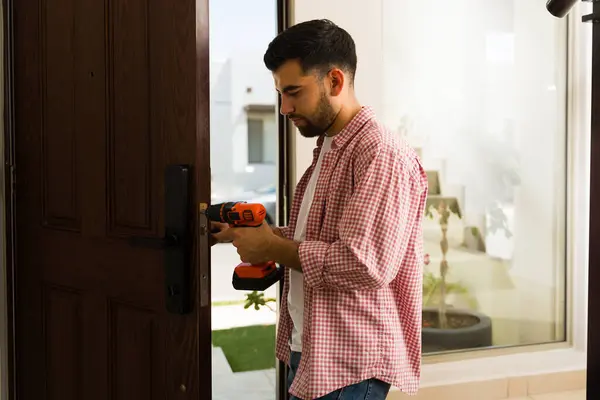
(253, 244)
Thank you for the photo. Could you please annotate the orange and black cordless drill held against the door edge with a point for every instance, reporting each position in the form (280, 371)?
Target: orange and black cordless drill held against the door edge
(240, 214)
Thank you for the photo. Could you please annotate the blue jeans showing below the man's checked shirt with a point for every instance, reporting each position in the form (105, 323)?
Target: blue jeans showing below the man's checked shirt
(370, 389)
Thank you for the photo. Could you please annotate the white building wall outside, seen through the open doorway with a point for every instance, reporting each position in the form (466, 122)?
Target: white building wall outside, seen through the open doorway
(230, 81)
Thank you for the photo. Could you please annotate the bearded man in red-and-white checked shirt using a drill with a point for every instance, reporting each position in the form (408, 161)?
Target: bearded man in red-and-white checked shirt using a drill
(351, 323)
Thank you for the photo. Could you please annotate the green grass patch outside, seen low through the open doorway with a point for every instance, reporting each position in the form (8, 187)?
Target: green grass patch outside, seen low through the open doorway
(248, 348)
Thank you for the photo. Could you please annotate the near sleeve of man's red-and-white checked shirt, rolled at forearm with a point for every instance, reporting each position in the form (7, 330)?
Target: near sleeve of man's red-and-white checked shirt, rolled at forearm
(376, 225)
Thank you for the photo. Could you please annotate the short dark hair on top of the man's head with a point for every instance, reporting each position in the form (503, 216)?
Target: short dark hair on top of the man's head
(318, 45)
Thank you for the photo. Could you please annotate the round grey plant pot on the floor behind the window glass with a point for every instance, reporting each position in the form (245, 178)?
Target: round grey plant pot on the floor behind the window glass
(466, 330)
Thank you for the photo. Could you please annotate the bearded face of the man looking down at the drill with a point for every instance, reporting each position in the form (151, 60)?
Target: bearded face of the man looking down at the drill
(305, 99)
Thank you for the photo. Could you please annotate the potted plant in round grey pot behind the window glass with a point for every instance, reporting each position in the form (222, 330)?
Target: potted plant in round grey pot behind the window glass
(444, 327)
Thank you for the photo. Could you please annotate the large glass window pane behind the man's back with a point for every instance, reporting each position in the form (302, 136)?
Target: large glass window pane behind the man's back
(478, 87)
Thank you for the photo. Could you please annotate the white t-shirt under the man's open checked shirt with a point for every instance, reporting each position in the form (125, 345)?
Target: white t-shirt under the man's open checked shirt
(296, 292)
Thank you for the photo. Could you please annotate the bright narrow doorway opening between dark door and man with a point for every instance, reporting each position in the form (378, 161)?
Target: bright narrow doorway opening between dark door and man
(243, 138)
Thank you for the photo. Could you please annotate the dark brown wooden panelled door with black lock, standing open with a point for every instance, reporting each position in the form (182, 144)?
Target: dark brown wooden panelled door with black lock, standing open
(108, 94)
